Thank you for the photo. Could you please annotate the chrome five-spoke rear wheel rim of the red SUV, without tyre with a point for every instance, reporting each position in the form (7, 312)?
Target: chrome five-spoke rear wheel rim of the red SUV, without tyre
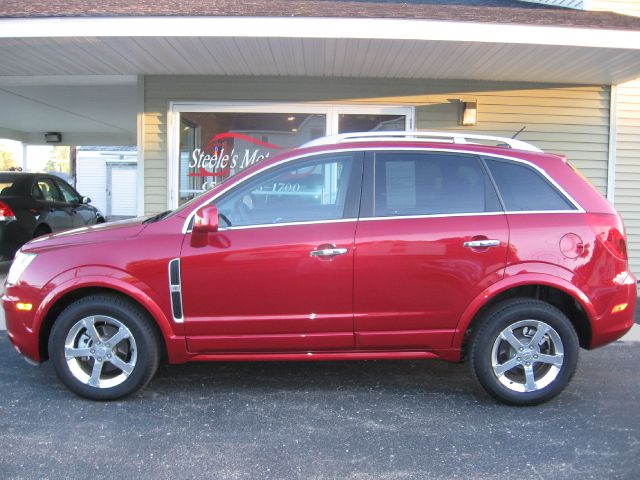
(527, 356)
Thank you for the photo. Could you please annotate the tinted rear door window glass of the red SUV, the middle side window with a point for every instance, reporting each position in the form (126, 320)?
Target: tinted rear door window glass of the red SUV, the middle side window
(430, 184)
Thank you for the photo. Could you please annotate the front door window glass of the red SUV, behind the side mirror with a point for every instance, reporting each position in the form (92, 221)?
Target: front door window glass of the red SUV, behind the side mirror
(302, 191)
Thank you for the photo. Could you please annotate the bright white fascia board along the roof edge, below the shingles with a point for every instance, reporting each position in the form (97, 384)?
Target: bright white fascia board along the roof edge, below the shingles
(297, 27)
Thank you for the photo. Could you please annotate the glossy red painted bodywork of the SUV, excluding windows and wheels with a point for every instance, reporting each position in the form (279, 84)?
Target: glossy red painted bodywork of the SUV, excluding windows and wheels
(407, 288)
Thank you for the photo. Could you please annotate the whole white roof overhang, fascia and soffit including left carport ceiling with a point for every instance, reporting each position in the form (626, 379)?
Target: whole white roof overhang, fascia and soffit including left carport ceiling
(80, 75)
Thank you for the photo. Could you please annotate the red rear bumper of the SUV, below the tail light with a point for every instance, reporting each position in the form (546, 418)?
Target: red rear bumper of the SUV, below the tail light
(613, 325)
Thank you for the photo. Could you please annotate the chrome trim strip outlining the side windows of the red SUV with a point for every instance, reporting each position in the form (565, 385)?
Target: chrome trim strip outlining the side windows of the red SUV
(574, 203)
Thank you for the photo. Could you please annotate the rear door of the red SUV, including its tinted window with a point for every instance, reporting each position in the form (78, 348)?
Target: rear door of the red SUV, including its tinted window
(431, 236)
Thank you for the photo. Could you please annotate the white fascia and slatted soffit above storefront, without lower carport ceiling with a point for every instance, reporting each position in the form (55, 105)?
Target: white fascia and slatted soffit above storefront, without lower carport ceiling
(378, 48)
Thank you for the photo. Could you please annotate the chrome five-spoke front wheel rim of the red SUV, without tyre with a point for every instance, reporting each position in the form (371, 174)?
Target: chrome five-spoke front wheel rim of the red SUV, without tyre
(100, 351)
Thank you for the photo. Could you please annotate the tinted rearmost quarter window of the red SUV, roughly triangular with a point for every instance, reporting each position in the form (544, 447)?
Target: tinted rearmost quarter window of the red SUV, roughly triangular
(524, 189)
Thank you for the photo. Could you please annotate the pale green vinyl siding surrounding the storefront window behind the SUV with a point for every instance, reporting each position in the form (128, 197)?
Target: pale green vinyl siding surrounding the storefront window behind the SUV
(568, 119)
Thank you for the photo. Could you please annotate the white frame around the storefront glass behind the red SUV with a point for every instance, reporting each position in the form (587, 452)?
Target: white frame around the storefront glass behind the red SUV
(332, 112)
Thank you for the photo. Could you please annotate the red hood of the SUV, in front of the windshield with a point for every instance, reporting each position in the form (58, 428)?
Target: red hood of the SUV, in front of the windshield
(102, 232)
